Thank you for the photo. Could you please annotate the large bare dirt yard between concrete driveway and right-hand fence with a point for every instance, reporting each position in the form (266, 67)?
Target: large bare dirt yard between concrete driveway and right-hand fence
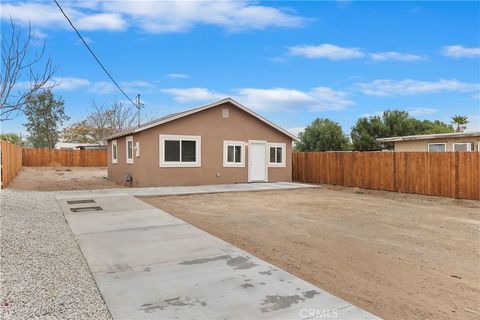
(397, 256)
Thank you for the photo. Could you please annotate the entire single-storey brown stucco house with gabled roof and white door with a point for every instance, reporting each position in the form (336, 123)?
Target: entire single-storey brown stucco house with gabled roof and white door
(222, 142)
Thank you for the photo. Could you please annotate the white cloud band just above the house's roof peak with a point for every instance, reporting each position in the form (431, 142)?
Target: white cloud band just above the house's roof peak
(274, 99)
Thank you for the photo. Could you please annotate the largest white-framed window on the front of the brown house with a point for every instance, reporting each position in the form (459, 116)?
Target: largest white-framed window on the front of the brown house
(180, 151)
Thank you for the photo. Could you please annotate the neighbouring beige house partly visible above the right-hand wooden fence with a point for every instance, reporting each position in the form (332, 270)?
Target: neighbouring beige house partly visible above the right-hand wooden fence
(462, 141)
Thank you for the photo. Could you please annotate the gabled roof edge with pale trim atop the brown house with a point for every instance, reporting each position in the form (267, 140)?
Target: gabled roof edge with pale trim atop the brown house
(178, 115)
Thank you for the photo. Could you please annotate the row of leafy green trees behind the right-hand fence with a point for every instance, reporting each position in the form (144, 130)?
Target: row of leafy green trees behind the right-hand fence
(327, 135)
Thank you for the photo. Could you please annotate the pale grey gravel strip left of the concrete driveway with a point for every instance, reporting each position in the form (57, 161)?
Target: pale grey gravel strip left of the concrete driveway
(43, 273)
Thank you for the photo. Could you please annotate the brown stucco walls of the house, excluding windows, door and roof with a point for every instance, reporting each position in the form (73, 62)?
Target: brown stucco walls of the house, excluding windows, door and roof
(213, 129)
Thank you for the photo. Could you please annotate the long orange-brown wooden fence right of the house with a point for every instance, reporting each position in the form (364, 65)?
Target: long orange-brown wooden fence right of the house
(445, 174)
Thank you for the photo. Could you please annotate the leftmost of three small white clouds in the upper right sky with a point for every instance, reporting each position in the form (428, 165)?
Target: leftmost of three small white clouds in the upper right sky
(327, 51)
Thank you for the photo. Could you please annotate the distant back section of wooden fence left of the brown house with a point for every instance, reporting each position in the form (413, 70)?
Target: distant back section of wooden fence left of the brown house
(66, 158)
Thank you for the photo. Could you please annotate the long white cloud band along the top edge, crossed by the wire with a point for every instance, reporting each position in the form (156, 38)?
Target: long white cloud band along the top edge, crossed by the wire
(152, 16)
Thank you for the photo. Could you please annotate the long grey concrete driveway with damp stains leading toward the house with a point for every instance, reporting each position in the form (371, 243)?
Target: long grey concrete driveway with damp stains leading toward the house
(150, 265)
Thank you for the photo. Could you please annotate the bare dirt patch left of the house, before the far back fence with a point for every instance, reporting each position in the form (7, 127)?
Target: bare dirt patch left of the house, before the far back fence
(61, 178)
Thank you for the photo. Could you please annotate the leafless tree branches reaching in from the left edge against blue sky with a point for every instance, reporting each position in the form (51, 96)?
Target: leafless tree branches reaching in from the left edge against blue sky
(20, 67)
